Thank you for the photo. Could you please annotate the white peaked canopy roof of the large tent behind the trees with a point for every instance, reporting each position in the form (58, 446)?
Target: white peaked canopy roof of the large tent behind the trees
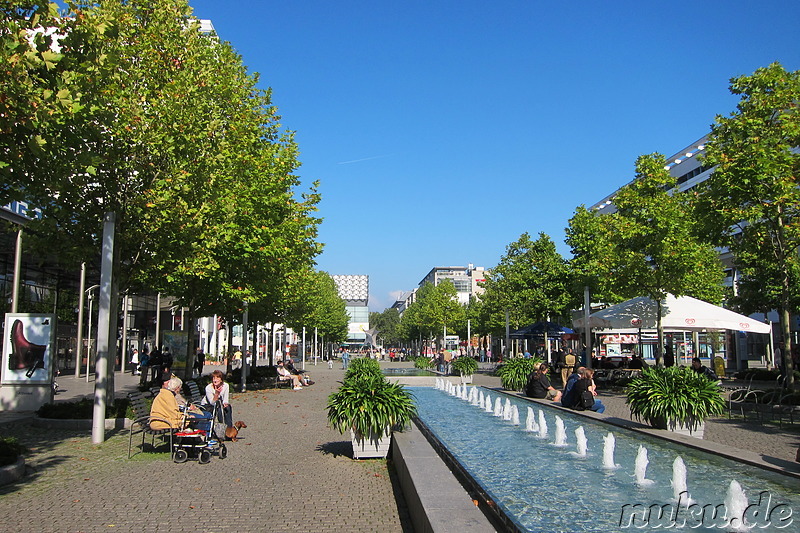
(678, 313)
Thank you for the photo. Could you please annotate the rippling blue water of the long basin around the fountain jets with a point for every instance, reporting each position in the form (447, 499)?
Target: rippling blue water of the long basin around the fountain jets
(544, 487)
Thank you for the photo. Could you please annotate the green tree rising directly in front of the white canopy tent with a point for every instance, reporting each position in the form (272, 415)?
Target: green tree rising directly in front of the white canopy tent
(649, 246)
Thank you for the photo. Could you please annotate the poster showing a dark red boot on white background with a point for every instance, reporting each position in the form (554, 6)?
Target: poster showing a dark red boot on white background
(28, 348)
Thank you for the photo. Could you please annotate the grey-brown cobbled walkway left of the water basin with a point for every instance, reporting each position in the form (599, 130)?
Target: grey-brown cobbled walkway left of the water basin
(288, 472)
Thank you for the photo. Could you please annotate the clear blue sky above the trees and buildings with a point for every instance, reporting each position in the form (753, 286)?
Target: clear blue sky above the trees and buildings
(442, 130)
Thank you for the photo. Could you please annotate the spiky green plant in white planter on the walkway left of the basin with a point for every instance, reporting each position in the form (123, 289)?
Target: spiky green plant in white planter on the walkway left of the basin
(370, 407)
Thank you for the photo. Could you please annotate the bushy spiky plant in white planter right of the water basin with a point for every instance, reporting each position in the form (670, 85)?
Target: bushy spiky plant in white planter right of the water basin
(675, 398)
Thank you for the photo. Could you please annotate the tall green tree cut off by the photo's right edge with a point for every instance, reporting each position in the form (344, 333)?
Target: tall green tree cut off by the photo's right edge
(751, 202)
